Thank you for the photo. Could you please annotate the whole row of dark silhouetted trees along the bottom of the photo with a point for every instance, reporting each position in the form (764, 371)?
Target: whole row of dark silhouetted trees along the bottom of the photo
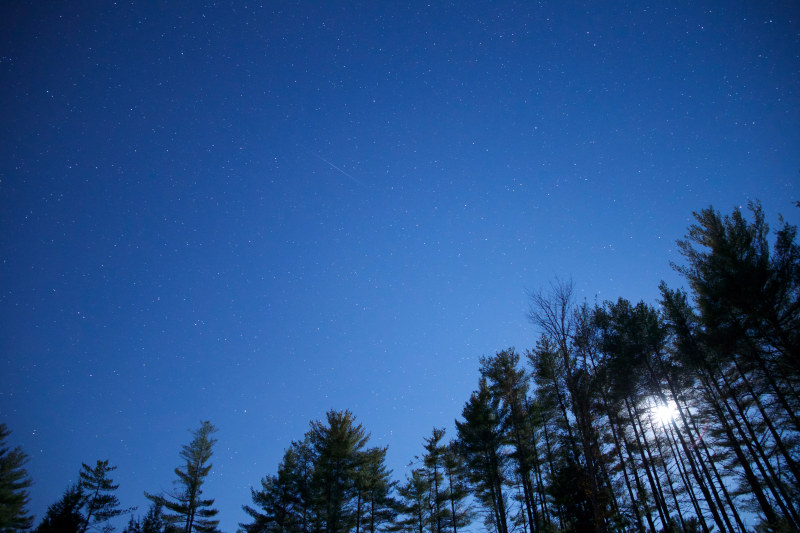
(623, 417)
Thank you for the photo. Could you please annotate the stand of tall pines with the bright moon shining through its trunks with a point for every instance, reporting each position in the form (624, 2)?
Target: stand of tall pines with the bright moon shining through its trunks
(632, 417)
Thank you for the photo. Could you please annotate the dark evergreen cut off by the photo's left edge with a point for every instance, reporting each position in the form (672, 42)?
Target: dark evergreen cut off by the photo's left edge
(13, 482)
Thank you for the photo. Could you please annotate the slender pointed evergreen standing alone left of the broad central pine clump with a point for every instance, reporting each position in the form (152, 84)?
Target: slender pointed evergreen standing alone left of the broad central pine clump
(185, 506)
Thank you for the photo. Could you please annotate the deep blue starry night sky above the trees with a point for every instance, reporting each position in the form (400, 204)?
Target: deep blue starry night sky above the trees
(253, 213)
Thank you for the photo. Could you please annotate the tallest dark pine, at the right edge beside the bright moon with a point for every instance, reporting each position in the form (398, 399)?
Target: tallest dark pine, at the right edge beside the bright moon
(742, 342)
